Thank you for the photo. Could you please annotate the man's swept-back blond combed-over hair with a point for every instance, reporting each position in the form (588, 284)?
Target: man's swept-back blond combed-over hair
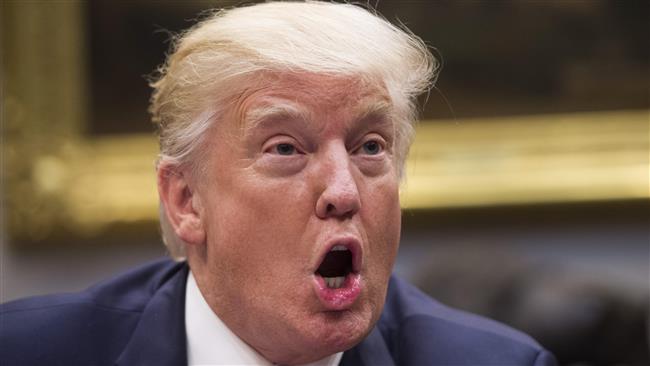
(212, 61)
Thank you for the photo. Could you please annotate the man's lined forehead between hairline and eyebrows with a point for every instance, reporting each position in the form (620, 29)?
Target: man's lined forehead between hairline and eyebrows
(303, 95)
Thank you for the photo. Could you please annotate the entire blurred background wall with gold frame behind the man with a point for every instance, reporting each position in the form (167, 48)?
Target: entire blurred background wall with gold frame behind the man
(527, 194)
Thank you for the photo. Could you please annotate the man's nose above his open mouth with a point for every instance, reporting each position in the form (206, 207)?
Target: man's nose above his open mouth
(339, 197)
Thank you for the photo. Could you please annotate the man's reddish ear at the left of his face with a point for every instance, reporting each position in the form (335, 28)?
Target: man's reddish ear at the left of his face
(181, 204)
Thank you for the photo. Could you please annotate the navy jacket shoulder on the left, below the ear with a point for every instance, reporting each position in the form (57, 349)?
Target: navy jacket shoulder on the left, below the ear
(89, 327)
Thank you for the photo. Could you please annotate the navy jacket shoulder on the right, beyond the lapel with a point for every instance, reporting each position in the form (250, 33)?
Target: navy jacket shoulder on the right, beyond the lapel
(420, 330)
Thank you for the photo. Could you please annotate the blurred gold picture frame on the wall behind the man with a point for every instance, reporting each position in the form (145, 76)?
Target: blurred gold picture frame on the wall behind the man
(59, 181)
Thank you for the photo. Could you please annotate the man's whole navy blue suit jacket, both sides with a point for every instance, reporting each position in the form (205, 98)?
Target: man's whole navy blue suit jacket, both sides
(138, 319)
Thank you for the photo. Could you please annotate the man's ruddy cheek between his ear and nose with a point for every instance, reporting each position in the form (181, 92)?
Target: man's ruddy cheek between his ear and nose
(256, 223)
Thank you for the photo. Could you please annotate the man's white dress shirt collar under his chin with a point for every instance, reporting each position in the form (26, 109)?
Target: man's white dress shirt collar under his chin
(211, 342)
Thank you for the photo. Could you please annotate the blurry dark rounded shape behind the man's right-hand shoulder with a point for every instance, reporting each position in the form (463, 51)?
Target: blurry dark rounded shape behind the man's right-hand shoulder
(579, 319)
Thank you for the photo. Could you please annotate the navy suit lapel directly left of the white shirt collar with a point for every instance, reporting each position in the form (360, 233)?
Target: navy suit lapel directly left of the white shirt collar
(159, 338)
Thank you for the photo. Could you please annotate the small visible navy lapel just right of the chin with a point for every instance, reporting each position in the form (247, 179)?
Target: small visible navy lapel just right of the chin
(372, 351)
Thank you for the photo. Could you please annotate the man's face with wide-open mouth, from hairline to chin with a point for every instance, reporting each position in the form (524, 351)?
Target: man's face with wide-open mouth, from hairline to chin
(300, 207)
